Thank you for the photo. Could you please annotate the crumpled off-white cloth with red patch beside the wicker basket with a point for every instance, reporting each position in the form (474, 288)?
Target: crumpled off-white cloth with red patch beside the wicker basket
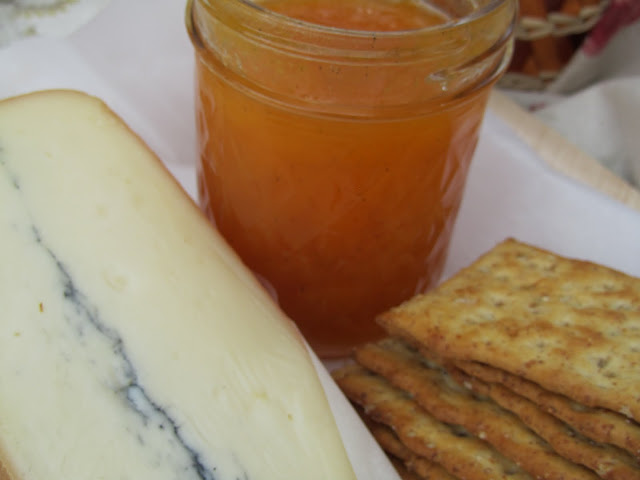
(595, 102)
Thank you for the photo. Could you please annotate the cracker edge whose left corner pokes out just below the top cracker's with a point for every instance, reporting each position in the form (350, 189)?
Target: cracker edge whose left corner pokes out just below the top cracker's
(439, 395)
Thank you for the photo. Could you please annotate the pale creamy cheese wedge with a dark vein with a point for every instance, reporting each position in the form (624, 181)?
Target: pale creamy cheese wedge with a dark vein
(133, 342)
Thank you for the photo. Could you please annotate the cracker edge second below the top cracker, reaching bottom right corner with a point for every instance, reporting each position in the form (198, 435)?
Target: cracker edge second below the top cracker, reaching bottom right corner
(607, 461)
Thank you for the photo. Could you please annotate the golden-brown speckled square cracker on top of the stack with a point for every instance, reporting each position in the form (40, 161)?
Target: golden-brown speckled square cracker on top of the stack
(571, 326)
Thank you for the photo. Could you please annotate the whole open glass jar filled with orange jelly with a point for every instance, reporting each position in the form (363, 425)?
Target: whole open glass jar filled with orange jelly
(335, 138)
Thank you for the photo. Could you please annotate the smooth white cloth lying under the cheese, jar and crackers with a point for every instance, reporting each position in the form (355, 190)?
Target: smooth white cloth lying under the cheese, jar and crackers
(137, 57)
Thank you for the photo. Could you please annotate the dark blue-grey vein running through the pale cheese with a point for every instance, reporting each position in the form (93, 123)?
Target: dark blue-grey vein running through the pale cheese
(159, 436)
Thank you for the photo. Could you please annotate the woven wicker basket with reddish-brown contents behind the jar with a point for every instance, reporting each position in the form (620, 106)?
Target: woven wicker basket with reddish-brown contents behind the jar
(548, 33)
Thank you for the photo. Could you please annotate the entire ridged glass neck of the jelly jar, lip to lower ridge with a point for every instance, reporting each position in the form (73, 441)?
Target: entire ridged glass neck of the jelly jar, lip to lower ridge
(426, 66)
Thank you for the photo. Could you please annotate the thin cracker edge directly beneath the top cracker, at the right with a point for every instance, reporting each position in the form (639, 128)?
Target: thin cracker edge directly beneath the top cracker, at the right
(598, 424)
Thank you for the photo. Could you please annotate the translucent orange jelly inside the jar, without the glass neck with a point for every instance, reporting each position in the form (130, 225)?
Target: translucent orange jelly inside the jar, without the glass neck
(343, 217)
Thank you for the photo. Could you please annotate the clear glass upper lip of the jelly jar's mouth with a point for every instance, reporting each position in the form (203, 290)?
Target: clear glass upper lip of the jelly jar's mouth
(304, 38)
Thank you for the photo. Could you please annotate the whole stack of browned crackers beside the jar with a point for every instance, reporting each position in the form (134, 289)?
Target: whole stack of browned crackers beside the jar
(524, 365)
